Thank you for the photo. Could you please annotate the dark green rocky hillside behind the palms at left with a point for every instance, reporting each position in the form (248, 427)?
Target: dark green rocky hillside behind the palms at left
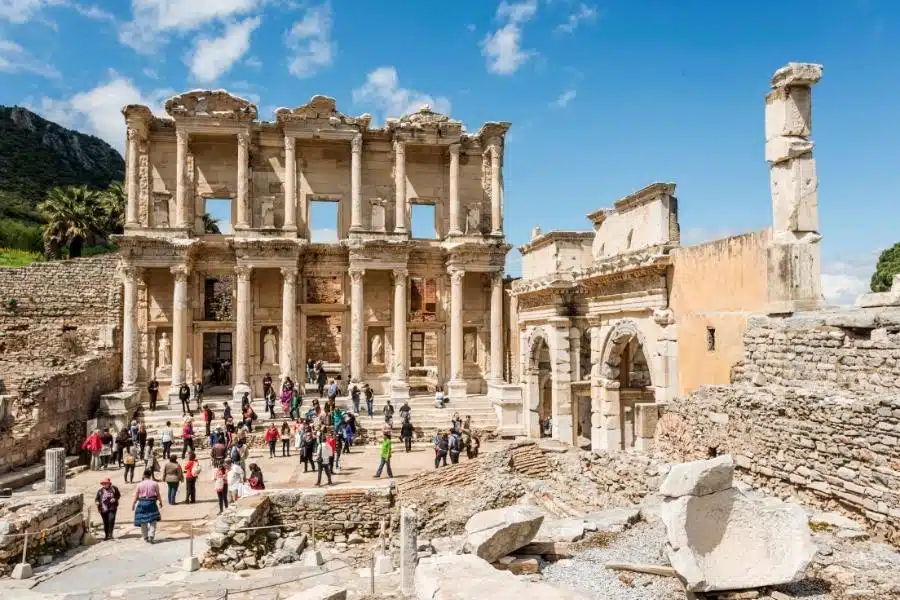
(37, 155)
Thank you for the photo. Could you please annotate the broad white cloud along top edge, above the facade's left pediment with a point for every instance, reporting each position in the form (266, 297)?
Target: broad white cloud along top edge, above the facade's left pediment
(153, 19)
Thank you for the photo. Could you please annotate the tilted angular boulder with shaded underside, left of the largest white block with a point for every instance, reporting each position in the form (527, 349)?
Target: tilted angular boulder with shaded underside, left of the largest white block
(495, 533)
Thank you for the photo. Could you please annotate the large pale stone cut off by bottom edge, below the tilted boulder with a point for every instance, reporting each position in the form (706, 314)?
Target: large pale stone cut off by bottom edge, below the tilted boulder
(439, 578)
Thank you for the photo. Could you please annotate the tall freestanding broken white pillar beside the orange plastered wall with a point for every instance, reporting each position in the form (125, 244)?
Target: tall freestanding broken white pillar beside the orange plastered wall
(794, 263)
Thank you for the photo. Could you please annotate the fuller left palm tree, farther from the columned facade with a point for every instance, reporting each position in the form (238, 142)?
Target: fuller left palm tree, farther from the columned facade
(72, 214)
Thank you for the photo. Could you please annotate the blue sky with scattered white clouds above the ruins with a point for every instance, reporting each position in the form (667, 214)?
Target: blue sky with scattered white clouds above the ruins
(604, 97)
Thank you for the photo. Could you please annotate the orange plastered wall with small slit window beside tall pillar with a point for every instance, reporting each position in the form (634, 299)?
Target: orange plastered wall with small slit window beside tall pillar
(715, 288)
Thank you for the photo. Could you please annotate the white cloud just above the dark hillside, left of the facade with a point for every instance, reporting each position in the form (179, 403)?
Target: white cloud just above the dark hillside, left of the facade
(98, 110)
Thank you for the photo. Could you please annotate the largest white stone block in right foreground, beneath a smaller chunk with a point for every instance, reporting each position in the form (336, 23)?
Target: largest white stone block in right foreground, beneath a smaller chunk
(727, 541)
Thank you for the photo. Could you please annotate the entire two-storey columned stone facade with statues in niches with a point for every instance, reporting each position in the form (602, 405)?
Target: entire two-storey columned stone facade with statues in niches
(378, 305)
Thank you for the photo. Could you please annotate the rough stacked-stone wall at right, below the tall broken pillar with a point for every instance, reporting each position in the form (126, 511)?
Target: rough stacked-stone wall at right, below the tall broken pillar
(814, 412)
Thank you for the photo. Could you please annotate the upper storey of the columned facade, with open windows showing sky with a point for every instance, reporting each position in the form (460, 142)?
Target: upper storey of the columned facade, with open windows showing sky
(212, 146)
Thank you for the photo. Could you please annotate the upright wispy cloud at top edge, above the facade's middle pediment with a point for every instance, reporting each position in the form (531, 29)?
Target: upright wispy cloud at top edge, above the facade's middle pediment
(310, 40)
